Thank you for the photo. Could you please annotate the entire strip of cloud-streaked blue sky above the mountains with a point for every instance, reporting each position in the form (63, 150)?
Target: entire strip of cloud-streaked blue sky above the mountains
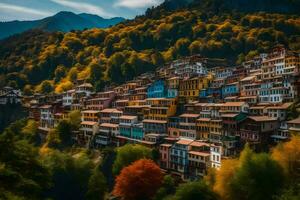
(37, 9)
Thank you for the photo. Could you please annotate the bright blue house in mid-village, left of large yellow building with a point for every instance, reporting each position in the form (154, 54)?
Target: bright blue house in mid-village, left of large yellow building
(157, 89)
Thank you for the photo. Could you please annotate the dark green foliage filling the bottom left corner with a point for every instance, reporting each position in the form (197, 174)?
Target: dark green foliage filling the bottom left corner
(22, 175)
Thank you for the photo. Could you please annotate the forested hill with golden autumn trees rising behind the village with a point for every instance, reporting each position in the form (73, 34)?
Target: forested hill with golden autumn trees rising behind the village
(234, 29)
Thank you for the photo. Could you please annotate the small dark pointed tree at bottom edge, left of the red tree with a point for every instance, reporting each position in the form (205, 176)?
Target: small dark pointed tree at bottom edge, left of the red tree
(96, 186)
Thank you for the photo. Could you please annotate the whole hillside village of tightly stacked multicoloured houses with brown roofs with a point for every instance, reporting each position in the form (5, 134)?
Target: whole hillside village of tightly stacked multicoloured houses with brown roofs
(196, 111)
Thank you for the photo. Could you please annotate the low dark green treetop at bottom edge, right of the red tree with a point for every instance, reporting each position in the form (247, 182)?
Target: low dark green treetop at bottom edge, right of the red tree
(193, 191)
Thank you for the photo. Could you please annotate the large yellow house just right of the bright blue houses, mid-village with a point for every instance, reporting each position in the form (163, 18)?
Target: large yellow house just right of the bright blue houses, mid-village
(189, 89)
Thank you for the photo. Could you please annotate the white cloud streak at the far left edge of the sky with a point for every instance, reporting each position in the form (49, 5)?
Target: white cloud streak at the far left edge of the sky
(4, 7)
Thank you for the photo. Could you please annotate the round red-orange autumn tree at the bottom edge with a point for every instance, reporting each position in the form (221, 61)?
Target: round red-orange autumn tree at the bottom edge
(140, 180)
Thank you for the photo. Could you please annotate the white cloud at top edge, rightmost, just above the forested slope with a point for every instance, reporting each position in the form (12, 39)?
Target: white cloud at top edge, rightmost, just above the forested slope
(137, 3)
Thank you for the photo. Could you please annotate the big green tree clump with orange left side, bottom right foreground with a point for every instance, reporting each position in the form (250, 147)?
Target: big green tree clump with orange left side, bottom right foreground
(253, 176)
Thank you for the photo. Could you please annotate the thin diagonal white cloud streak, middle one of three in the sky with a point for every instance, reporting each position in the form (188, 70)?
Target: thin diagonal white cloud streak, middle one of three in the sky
(84, 7)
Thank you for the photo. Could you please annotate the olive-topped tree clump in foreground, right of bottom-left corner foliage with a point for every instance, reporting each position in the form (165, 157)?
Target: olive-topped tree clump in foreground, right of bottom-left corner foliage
(70, 175)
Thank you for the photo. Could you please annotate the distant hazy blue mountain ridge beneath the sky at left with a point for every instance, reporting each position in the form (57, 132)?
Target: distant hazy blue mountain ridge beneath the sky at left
(62, 21)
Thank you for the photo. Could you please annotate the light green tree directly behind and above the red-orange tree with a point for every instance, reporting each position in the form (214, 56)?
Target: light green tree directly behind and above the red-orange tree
(128, 154)
